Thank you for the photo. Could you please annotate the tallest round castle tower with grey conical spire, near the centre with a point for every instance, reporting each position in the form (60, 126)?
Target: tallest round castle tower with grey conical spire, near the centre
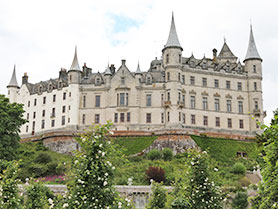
(172, 64)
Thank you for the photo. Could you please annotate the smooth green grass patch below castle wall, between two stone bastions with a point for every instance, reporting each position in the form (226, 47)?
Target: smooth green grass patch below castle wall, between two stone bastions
(134, 145)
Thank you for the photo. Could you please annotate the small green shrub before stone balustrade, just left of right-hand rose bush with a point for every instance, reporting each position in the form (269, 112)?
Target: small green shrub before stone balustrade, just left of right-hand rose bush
(158, 198)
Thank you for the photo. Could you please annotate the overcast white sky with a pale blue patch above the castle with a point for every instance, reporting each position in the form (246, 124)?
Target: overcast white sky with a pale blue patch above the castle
(39, 37)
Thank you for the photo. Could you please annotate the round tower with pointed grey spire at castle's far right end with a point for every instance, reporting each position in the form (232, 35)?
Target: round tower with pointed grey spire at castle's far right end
(253, 66)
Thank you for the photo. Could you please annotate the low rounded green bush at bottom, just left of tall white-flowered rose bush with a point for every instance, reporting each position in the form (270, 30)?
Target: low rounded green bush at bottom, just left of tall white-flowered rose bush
(38, 196)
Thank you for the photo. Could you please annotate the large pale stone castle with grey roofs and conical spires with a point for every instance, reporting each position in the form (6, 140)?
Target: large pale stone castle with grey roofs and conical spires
(217, 94)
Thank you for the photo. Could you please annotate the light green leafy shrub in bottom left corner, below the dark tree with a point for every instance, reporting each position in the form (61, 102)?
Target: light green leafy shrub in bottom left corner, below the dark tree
(9, 192)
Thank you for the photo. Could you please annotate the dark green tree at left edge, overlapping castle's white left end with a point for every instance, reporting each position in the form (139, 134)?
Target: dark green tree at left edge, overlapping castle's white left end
(11, 115)
